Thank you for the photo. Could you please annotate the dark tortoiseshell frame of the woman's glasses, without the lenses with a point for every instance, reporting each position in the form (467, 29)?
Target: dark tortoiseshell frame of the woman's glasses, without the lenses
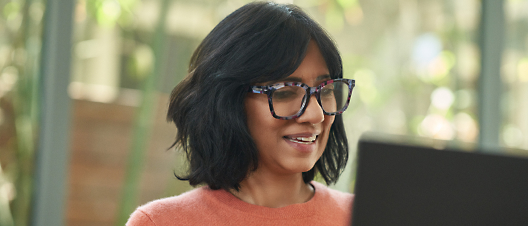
(309, 92)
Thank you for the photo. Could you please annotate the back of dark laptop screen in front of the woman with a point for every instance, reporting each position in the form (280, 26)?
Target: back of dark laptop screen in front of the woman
(402, 184)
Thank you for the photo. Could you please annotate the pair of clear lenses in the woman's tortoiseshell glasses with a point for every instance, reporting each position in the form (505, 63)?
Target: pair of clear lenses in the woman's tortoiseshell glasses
(288, 100)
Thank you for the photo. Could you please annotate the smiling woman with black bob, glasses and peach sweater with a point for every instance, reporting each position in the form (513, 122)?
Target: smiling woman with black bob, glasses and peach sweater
(258, 116)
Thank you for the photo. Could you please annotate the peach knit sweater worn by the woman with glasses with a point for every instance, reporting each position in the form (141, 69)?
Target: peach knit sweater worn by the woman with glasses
(203, 206)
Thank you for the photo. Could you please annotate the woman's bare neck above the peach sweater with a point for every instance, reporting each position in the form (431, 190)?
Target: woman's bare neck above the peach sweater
(274, 191)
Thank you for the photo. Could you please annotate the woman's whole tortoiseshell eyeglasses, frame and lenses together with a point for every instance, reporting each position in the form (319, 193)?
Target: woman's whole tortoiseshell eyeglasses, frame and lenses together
(288, 100)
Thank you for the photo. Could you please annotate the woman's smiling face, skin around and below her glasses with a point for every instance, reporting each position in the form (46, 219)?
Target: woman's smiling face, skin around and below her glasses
(279, 142)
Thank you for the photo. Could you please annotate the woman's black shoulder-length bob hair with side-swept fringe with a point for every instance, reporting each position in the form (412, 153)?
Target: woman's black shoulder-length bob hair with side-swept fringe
(259, 42)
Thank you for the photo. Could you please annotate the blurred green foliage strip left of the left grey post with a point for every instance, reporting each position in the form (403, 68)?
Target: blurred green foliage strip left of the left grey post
(21, 28)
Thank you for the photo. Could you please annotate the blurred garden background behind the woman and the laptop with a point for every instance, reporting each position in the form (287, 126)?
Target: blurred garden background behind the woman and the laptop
(418, 66)
